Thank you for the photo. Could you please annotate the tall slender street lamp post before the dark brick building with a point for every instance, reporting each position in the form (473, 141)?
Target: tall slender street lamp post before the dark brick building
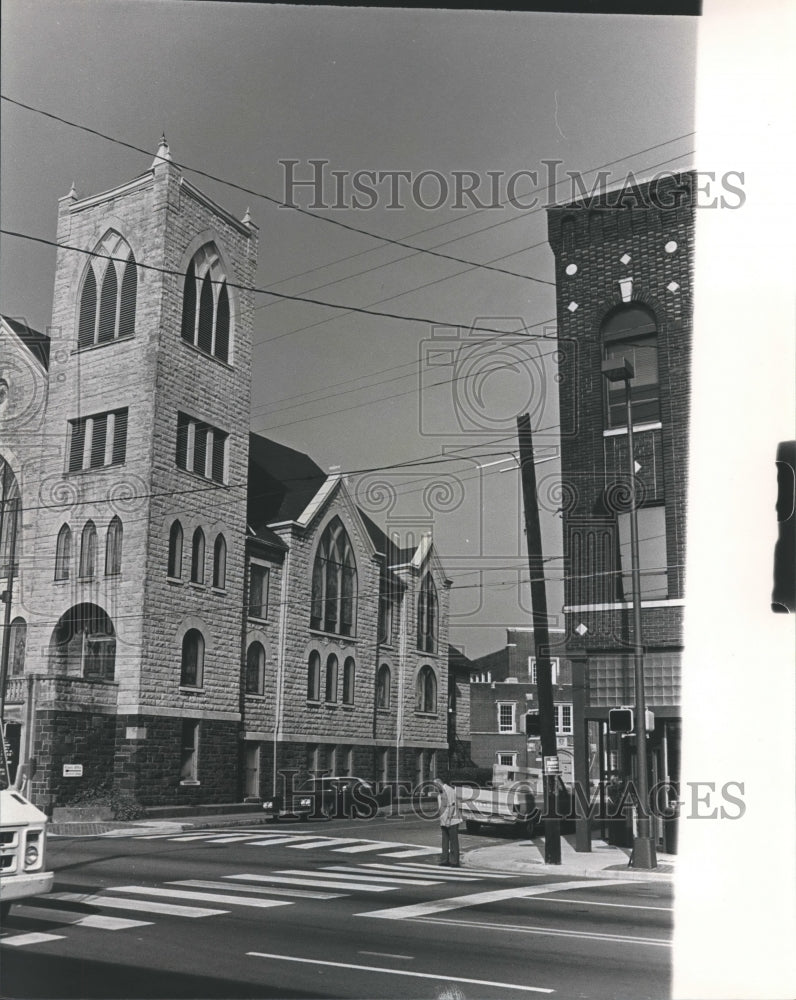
(621, 370)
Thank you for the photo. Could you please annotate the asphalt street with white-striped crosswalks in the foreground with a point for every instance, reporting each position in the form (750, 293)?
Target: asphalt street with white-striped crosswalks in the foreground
(328, 909)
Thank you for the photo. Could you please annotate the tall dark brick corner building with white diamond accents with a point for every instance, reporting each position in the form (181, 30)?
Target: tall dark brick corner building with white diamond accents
(624, 288)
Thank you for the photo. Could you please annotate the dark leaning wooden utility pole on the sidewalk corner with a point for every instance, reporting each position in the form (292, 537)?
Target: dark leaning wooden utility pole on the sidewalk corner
(541, 640)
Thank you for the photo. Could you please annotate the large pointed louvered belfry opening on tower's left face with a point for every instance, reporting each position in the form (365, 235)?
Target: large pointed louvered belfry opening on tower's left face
(108, 296)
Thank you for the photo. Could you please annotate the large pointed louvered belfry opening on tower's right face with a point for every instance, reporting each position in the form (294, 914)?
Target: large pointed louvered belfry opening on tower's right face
(205, 304)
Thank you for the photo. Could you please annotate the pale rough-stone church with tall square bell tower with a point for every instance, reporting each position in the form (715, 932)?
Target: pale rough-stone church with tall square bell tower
(195, 607)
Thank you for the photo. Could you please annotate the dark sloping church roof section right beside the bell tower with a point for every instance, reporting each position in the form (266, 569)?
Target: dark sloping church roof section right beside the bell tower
(282, 482)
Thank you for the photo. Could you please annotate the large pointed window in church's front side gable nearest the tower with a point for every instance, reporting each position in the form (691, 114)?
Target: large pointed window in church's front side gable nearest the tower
(334, 582)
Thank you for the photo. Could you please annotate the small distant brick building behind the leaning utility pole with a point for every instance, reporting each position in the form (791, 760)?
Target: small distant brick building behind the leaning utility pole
(503, 689)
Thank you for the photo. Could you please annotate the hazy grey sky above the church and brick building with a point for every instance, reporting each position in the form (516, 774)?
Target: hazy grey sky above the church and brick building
(241, 89)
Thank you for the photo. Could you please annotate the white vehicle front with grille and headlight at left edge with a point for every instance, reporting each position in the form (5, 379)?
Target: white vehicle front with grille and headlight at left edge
(23, 849)
